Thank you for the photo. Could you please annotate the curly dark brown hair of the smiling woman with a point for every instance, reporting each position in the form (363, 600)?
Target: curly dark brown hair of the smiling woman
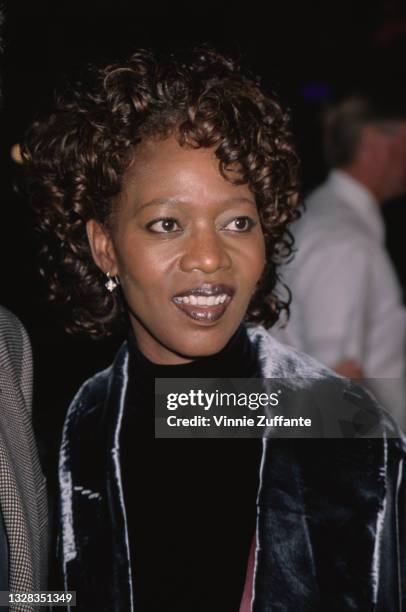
(76, 157)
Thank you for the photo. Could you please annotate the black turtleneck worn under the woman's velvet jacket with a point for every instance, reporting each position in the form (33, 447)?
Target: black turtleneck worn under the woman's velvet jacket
(191, 503)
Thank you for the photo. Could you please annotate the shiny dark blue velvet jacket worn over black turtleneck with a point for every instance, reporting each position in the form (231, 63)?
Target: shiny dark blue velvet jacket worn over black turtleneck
(329, 527)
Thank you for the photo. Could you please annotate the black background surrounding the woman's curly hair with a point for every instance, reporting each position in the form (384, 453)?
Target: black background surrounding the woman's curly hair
(308, 52)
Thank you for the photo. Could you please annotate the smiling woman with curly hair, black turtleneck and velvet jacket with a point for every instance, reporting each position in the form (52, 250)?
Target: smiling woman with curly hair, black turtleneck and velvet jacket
(165, 187)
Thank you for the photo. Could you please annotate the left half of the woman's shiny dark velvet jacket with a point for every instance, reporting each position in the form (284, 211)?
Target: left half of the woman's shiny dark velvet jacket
(93, 513)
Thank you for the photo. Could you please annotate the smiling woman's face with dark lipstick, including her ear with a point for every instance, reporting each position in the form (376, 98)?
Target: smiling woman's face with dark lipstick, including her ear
(188, 248)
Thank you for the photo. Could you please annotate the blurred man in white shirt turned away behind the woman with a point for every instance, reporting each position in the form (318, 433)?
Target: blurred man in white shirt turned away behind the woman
(346, 300)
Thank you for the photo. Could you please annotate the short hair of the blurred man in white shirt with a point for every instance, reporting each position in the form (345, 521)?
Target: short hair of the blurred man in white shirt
(344, 121)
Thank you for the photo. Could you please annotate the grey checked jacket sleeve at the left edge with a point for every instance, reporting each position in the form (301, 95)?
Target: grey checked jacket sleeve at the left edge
(22, 485)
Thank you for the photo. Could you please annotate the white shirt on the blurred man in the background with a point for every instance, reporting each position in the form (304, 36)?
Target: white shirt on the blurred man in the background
(346, 299)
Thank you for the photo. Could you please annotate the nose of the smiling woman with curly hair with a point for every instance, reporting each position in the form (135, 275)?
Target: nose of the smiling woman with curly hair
(205, 251)
